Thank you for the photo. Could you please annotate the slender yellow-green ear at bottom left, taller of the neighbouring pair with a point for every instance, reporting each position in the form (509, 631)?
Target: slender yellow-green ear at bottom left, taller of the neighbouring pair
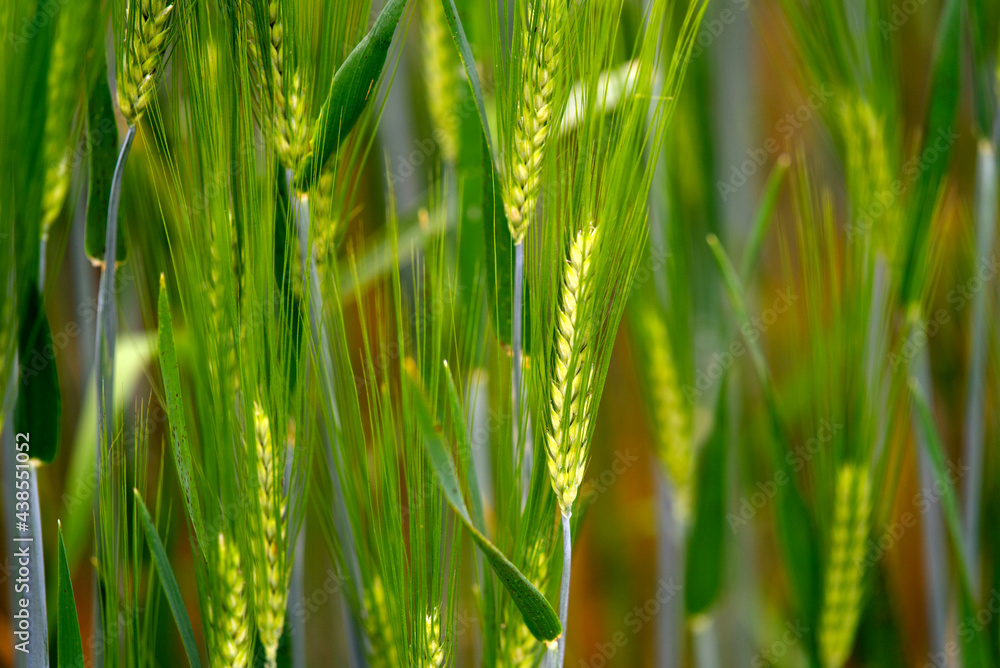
(271, 587)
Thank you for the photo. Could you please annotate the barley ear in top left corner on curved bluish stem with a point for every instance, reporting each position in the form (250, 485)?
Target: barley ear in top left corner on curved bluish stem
(145, 48)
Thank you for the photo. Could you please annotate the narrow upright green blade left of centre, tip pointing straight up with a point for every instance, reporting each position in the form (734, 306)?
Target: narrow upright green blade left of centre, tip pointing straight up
(175, 411)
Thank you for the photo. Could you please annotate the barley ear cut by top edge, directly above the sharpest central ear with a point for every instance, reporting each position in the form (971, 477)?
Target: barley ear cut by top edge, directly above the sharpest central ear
(533, 115)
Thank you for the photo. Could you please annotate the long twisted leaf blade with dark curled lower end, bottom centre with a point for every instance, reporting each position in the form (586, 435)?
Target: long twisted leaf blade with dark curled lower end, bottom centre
(539, 616)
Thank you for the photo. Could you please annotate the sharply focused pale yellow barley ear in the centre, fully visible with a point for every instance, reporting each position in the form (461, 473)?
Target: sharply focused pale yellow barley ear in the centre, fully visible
(568, 417)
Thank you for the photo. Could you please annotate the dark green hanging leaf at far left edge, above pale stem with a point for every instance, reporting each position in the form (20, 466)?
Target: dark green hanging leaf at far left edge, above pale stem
(39, 402)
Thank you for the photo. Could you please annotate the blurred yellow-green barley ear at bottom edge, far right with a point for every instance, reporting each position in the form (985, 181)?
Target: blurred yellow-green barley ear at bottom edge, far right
(843, 582)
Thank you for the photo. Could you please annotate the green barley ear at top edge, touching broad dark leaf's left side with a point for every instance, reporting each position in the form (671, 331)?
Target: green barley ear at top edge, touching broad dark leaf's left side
(289, 113)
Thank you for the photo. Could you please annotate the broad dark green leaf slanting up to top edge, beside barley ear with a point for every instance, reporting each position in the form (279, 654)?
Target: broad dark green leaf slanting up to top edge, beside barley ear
(352, 88)
